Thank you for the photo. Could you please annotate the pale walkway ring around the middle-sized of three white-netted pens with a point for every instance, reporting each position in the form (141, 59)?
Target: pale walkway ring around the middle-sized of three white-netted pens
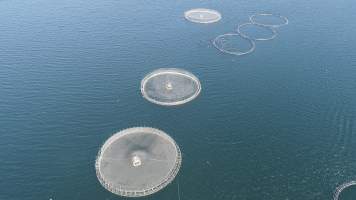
(174, 71)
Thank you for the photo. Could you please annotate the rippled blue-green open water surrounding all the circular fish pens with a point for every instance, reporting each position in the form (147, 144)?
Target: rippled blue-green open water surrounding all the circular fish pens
(279, 123)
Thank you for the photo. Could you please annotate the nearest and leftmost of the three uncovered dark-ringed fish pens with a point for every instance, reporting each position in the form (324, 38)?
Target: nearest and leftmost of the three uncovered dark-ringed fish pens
(221, 43)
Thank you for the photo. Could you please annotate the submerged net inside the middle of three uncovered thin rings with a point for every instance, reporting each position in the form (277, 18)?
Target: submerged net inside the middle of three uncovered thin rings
(272, 33)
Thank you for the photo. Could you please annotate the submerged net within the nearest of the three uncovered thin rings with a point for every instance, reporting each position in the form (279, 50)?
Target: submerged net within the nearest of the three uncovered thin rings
(227, 43)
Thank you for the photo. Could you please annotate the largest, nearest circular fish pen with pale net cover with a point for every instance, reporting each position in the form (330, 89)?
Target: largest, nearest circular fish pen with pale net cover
(137, 162)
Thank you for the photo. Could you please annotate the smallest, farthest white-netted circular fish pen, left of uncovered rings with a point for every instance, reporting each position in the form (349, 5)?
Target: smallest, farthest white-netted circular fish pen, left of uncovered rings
(202, 15)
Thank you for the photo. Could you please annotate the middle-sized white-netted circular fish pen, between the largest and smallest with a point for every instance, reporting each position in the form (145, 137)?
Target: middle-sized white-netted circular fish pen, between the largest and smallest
(170, 87)
